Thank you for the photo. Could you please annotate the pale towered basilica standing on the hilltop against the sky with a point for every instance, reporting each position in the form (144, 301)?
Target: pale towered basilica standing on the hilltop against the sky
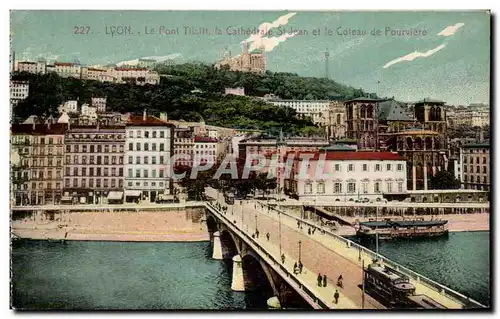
(254, 61)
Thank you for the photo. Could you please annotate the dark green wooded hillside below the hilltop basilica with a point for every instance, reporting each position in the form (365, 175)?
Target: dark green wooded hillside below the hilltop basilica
(190, 92)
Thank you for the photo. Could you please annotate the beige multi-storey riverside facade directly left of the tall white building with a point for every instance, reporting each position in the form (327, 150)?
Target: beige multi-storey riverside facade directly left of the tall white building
(94, 163)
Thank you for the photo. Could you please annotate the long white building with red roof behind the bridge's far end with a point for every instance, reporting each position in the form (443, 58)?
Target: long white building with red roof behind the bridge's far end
(347, 176)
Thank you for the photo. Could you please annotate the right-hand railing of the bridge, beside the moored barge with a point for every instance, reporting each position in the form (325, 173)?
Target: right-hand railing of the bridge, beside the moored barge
(443, 290)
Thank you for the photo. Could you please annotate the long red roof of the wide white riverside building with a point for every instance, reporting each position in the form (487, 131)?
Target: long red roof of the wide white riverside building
(353, 156)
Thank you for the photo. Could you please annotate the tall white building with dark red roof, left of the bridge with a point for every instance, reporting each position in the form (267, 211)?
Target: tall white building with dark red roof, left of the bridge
(148, 148)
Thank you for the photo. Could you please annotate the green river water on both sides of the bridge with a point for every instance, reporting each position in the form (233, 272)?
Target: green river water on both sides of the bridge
(114, 275)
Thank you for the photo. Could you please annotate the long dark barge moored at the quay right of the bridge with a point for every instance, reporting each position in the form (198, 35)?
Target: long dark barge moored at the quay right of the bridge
(391, 229)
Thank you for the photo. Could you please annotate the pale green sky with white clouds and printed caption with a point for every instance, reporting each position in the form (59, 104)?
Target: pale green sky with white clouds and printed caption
(409, 55)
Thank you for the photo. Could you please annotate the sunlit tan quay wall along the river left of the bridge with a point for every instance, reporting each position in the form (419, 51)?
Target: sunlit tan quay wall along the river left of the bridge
(164, 225)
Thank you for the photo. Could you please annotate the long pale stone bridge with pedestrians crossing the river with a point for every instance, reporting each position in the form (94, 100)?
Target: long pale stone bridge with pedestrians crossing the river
(321, 252)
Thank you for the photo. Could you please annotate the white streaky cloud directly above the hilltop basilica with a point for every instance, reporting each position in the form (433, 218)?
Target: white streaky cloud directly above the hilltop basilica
(259, 40)
